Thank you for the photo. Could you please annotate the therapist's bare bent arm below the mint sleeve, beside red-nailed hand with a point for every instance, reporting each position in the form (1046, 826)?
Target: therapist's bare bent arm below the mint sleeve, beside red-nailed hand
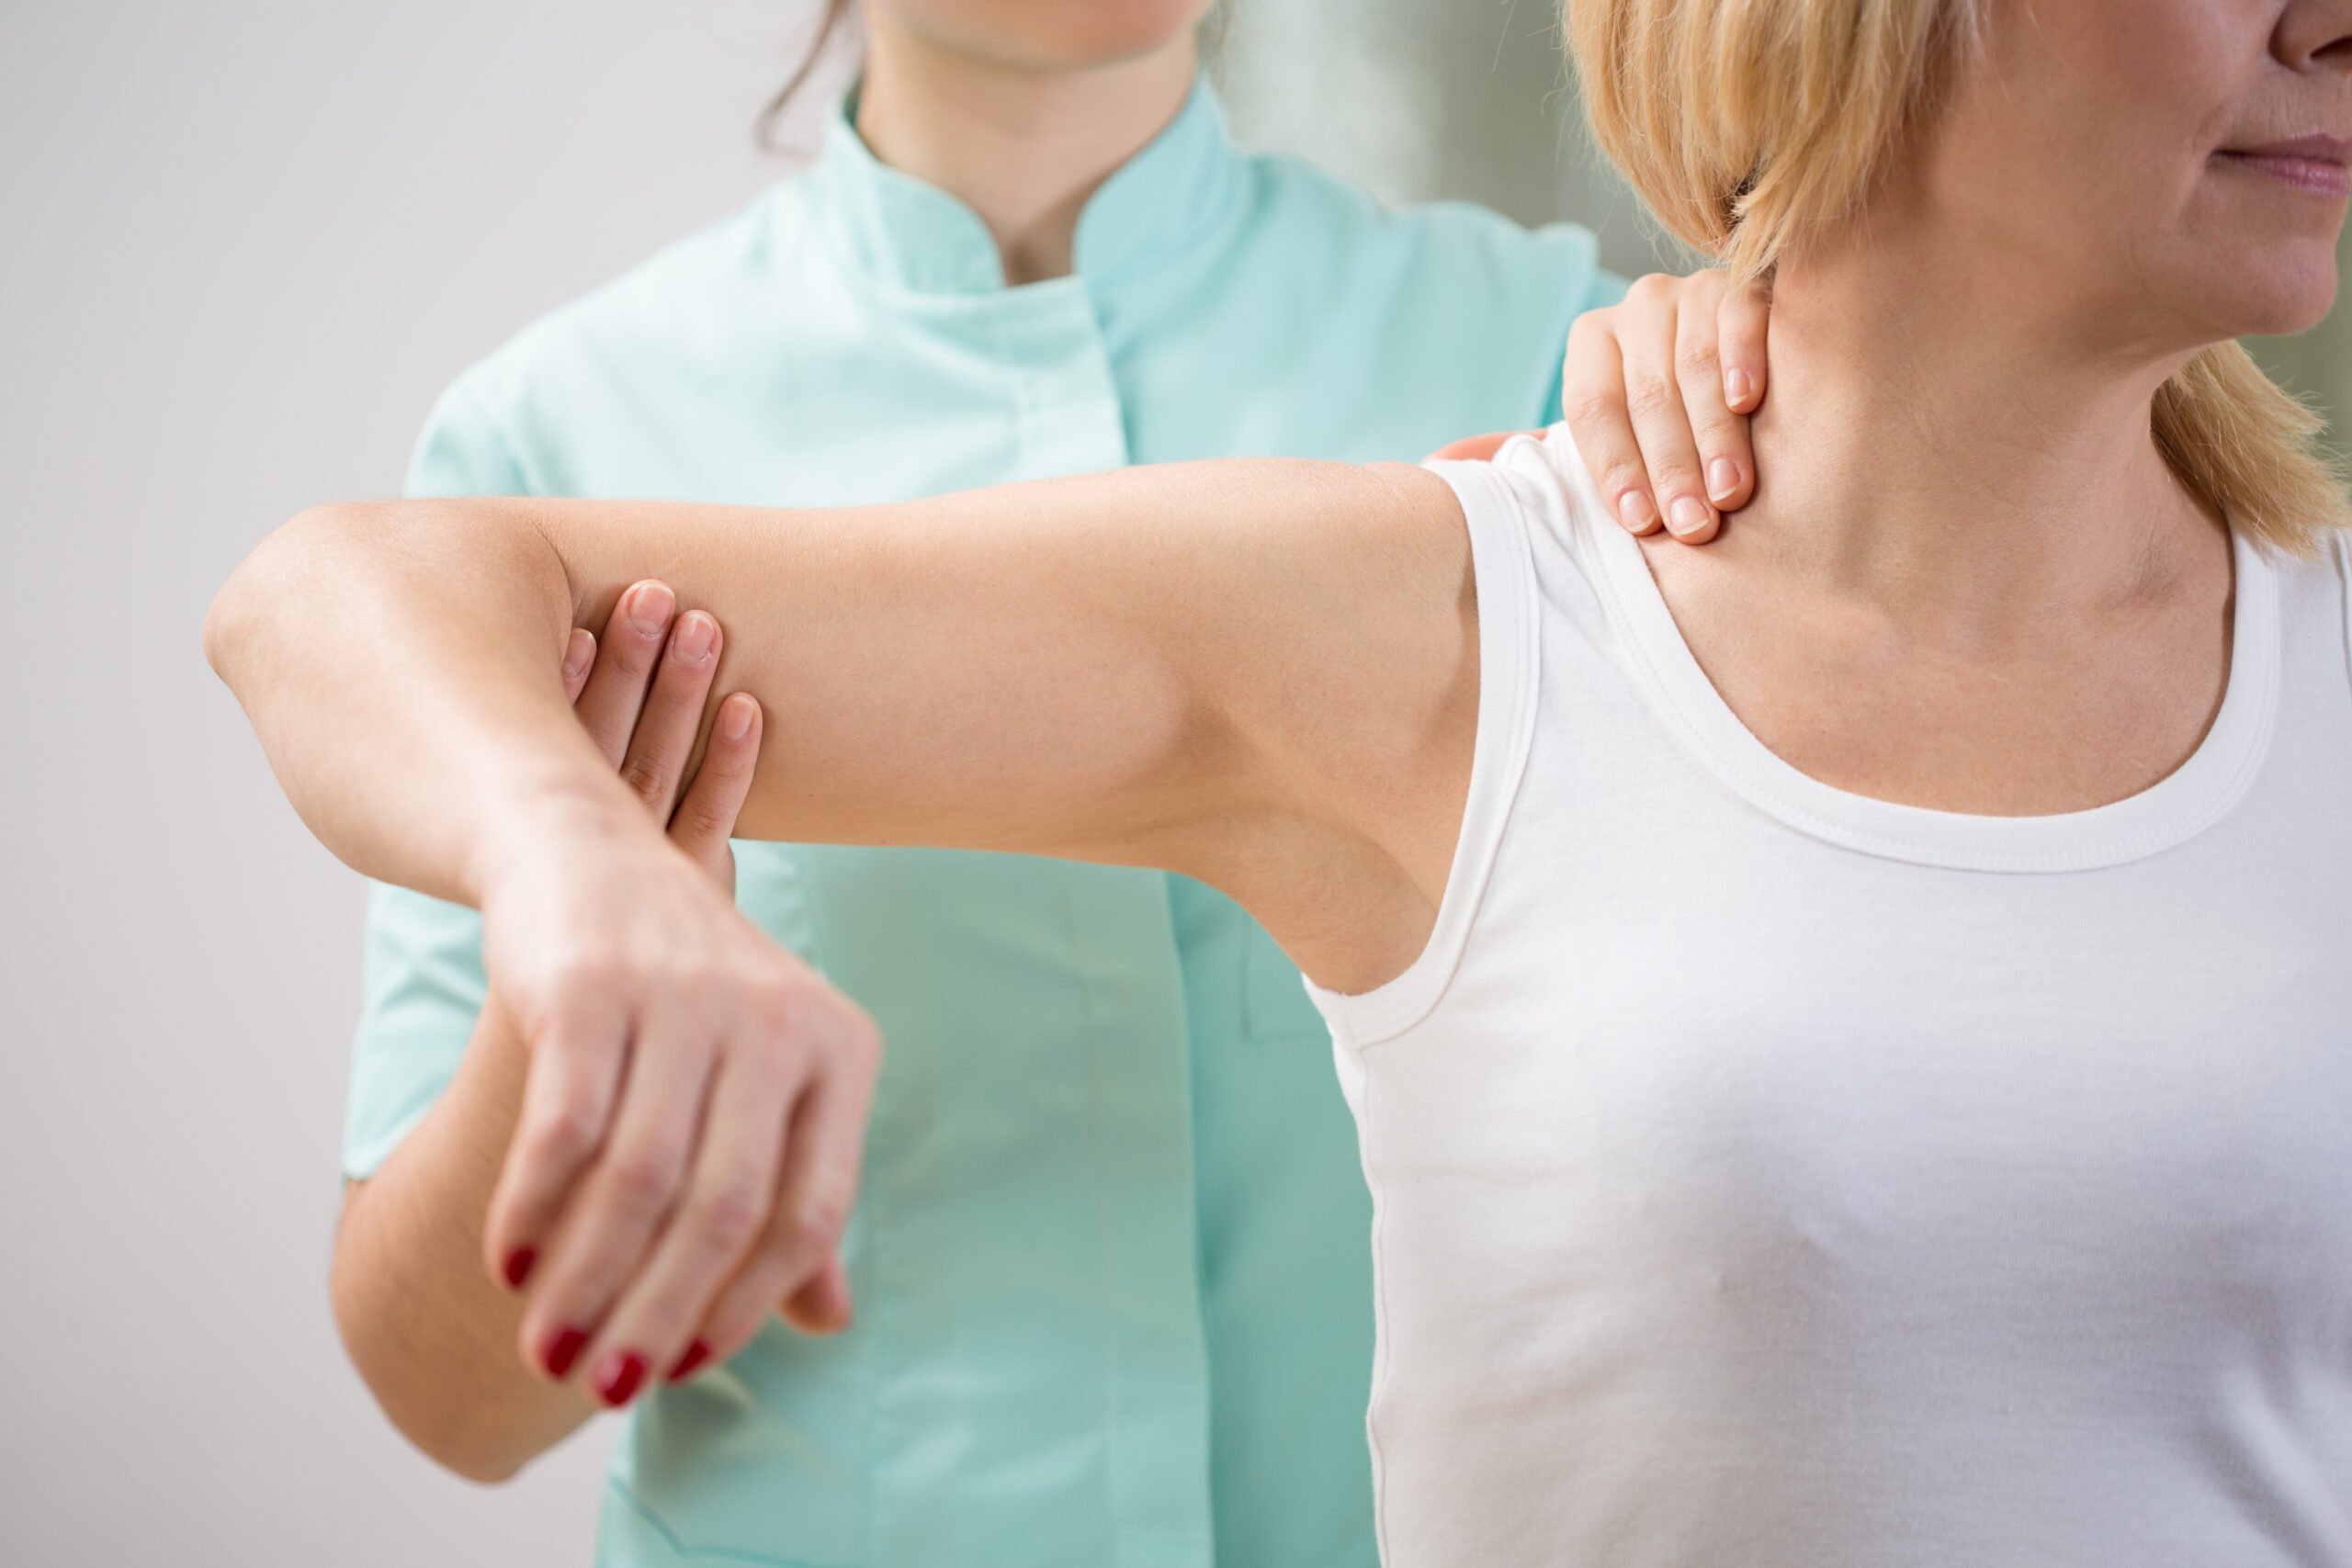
(425, 1325)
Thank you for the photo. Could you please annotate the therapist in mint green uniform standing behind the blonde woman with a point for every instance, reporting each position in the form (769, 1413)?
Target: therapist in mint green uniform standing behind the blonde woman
(1111, 1259)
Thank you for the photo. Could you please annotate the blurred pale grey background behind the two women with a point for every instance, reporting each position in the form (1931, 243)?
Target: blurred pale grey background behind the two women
(246, 243)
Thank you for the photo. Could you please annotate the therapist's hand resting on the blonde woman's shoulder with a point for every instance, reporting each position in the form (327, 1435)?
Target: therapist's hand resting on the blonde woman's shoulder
(1657, 394)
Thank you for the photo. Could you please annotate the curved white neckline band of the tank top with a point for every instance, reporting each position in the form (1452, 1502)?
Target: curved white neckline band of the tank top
(2170, 812)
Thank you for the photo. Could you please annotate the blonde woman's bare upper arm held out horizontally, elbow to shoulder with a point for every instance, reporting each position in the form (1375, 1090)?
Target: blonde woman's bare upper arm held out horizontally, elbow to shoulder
(1241, 671)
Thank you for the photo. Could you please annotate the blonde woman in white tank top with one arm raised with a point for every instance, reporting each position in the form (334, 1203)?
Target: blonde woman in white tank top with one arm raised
(1852, 1031)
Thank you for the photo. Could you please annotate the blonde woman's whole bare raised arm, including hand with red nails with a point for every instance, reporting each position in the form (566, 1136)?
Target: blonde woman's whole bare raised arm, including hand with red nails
(1259, 674)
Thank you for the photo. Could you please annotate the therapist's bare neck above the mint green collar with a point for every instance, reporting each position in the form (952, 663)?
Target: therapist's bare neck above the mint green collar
(1022, 147)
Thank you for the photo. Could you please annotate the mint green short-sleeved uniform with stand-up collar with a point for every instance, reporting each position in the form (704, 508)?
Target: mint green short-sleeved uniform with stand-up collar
(1114, 1249)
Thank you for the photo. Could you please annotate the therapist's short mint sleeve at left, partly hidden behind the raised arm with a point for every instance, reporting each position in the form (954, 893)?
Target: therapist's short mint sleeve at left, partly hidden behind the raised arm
(422, 963)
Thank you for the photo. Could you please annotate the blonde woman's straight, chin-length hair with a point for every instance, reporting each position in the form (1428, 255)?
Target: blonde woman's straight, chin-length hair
(1751, 126)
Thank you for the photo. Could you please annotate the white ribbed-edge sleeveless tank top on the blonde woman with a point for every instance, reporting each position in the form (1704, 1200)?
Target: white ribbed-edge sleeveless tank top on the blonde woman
(1777, 1179)
